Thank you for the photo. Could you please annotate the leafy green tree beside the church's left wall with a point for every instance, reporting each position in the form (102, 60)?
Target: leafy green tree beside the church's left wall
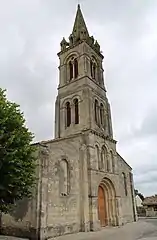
(17, 158)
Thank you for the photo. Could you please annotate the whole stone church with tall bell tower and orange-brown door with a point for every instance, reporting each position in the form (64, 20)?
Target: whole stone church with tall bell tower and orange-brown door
(83, 184)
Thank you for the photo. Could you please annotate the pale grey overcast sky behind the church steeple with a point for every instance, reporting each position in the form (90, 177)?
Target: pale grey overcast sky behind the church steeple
(30, 33)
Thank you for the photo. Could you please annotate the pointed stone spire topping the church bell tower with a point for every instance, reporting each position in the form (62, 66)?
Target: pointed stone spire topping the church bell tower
(80, 30)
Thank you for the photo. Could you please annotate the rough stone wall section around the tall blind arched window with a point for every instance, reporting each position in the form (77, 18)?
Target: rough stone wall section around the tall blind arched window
(61, 213)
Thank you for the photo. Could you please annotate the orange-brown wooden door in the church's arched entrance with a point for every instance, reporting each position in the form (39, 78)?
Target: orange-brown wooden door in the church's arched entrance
(101, 207)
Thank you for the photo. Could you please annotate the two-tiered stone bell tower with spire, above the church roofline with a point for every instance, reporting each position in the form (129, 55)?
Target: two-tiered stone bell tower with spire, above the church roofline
(81, 103)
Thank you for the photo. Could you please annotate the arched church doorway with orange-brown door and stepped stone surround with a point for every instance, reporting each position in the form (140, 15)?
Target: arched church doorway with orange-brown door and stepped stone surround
(107, 213)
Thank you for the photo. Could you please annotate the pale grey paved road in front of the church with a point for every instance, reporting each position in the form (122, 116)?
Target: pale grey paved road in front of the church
(144, 229)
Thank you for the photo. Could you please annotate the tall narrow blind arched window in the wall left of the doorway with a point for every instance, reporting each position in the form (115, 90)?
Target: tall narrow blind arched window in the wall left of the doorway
(64, 178)
